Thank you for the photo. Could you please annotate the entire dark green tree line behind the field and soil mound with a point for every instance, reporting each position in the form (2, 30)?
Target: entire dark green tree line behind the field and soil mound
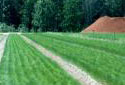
(56, 15)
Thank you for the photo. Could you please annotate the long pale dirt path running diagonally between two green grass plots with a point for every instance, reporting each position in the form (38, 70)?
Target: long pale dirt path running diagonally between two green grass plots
(73, 70)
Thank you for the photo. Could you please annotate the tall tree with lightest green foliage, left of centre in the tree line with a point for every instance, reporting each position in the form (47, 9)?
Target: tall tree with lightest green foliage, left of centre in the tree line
(43, 17)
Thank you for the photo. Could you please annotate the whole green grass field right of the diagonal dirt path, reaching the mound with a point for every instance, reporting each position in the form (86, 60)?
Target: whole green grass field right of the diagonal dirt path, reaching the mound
(102, 56)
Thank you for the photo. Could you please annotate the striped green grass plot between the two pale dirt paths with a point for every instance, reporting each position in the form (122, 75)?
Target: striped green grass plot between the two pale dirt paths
(24, 65)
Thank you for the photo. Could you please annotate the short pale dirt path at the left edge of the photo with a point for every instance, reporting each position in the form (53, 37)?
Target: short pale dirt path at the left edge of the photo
(3, 39)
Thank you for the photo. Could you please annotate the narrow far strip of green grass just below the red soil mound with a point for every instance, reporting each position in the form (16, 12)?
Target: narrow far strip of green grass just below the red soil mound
(95, 35)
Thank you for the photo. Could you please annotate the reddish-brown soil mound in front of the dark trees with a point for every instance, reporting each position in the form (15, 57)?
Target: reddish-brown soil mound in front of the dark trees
(107, 24)
